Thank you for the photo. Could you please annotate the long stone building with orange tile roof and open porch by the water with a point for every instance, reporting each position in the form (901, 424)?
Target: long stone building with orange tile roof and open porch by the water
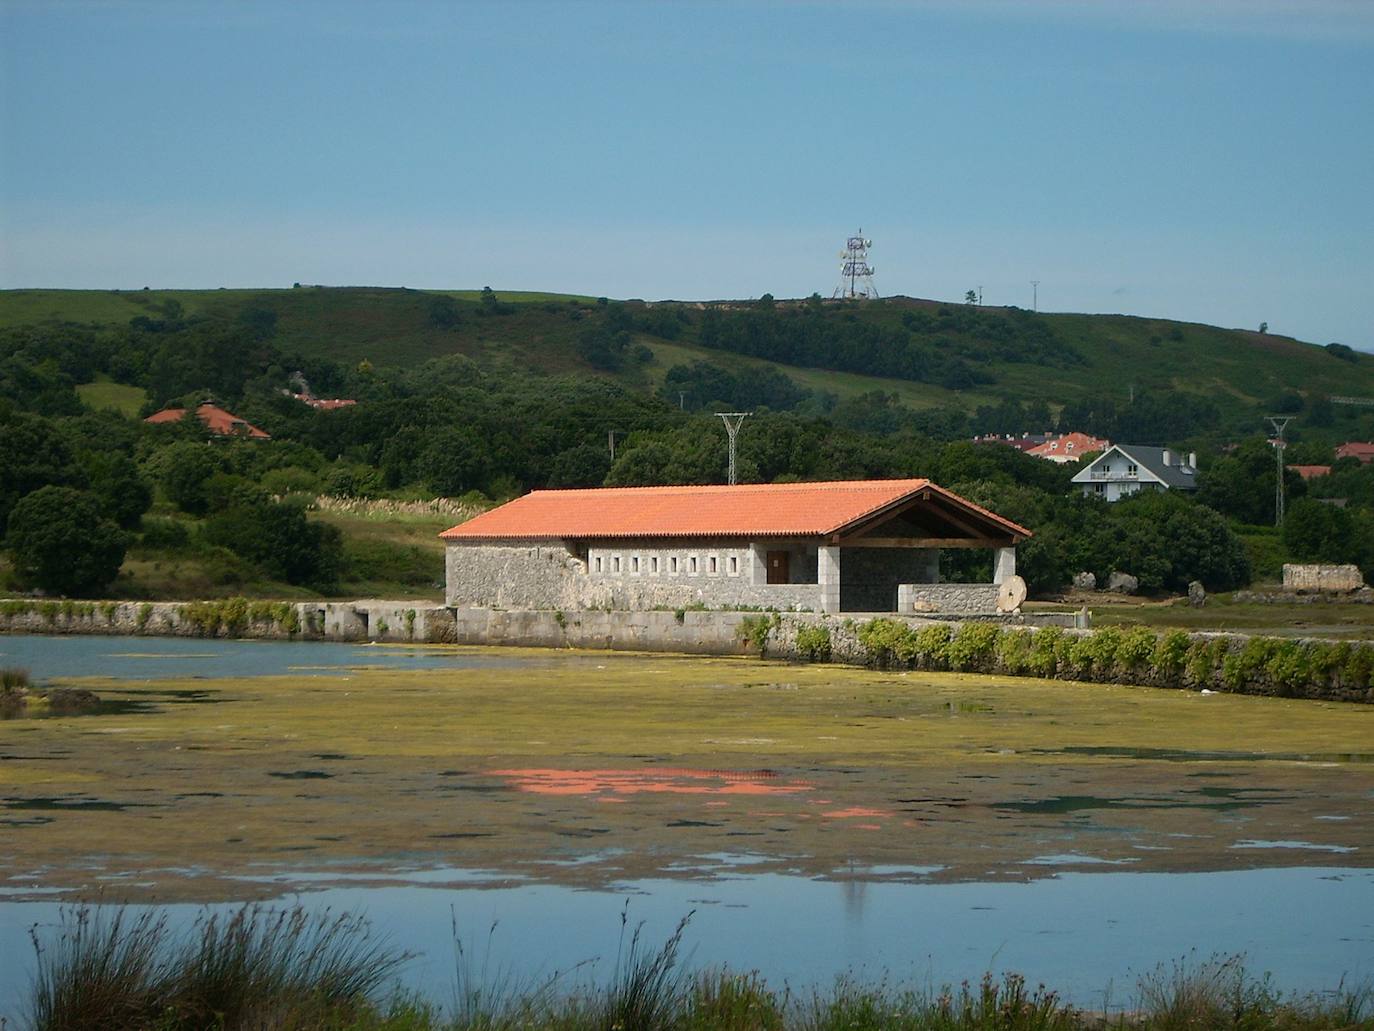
(846, 546)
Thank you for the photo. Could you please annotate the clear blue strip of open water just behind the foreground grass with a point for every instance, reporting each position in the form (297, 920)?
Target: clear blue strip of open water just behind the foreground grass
(1088, 935)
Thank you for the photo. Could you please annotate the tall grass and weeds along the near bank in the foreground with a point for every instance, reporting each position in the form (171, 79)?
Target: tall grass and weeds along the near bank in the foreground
(260, 968)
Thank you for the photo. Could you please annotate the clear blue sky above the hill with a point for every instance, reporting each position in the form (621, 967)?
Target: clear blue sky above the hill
(1206, 162)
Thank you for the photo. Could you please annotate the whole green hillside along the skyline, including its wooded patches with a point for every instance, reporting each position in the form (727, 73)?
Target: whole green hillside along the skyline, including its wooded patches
(973, 357)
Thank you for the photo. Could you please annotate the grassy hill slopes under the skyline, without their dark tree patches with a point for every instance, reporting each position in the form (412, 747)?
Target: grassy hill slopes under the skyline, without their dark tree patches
(1112, 355)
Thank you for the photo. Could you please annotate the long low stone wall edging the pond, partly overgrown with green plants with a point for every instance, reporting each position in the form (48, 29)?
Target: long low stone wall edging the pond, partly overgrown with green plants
(1038, 647)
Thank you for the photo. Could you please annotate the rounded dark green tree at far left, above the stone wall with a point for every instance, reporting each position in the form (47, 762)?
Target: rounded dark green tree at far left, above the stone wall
(60, 541)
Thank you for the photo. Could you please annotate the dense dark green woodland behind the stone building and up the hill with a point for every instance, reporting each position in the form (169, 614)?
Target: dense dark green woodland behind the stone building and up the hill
(454, 427)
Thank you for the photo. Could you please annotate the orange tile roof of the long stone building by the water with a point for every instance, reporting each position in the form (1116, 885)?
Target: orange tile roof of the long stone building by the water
(748, 511)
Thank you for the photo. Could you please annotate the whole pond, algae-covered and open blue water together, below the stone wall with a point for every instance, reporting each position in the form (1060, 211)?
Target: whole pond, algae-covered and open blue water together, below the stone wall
(813, 821)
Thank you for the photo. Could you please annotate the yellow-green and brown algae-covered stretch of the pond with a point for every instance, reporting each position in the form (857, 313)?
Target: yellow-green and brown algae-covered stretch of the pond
(594, 769)
